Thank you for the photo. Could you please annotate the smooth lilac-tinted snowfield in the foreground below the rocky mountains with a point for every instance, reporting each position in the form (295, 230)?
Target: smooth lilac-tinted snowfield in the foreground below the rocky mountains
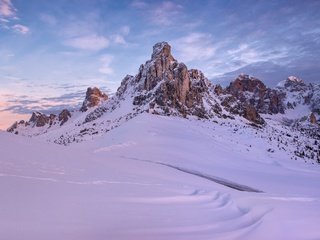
(157, 177)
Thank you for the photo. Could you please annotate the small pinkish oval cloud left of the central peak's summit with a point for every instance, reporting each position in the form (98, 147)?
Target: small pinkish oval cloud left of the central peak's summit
(88, 42)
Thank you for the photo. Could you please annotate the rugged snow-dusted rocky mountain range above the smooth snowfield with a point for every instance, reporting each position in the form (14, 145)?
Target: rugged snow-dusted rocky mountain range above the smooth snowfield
(286, 115)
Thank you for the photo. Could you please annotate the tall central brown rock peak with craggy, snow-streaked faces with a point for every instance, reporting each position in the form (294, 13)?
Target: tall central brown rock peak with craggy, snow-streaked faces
(168, 87)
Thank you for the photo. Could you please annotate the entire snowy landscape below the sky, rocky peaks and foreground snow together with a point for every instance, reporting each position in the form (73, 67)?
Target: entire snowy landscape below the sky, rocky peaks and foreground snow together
(169, 156)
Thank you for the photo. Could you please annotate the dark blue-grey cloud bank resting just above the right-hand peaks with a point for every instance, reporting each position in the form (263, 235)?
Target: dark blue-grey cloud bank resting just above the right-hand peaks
(270, 73)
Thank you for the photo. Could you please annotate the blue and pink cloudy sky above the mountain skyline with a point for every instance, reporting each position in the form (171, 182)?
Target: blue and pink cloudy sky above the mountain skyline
(51, 51)
